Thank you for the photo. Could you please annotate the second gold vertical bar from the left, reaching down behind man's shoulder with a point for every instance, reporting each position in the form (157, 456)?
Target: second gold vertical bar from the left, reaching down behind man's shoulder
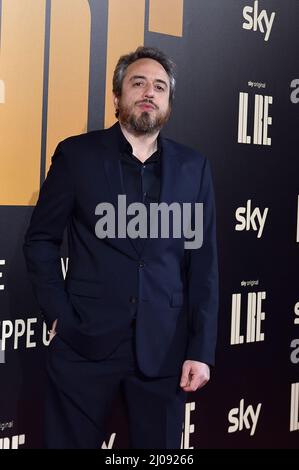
(68, 71)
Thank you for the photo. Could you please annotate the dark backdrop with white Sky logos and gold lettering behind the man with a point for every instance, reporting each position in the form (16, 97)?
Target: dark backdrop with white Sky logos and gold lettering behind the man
(237, 102)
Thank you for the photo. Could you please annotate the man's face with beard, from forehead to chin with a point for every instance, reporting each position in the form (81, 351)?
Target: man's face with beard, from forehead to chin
(144, 103)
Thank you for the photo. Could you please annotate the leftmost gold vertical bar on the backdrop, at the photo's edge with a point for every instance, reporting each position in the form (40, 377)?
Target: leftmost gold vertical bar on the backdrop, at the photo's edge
(21, 74)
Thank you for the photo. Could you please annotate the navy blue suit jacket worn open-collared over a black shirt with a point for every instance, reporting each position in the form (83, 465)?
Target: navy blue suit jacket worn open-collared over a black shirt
(177, 288)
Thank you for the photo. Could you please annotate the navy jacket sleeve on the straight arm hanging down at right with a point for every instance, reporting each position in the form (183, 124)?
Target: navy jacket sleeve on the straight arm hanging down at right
(202, 278)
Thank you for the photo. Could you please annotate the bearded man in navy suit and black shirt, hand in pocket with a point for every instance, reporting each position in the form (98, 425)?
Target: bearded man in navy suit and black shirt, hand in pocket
(137, 314)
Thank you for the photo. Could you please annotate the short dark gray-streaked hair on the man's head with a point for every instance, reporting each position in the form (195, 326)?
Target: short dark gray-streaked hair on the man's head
(144, 53)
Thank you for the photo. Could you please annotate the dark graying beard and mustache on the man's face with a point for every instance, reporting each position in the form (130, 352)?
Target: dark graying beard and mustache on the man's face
(143, 124)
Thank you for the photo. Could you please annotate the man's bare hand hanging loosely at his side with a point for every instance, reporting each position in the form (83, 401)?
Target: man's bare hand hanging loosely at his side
(195, 375)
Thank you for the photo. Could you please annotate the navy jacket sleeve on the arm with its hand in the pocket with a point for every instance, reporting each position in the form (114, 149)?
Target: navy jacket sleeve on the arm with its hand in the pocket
(44, 237)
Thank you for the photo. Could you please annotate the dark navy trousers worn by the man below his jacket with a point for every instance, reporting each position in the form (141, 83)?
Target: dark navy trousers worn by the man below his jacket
(80, 394)
